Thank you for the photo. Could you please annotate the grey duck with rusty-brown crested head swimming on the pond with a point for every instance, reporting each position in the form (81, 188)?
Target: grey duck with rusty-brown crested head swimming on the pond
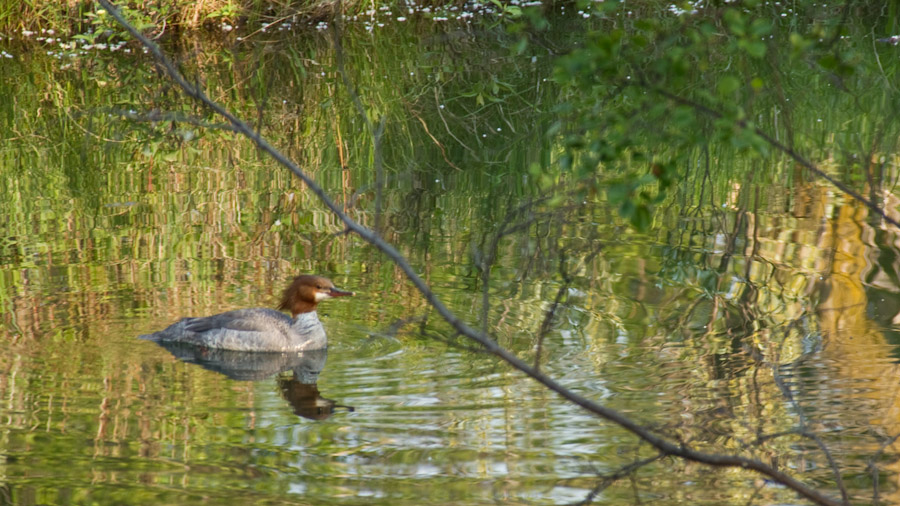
(262, 329)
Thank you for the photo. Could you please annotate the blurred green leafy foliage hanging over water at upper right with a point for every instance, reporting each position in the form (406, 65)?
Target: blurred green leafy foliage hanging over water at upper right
(648, 96)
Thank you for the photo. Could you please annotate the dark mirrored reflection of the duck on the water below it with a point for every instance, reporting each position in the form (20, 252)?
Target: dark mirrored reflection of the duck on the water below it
(297, 373)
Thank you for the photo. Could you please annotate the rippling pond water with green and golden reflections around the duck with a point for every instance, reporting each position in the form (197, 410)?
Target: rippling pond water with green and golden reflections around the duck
(113, 227)
